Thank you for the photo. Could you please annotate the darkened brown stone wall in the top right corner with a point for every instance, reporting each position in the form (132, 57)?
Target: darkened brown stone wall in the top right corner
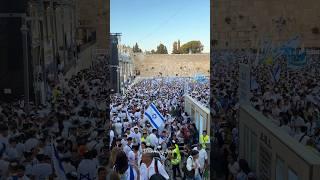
(242, 23)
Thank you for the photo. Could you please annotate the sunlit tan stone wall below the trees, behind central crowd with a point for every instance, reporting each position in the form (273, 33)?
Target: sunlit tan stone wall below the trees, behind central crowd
(171, 65)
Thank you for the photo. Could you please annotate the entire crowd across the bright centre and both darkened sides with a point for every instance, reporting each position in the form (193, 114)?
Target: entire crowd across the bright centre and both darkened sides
(75, 124)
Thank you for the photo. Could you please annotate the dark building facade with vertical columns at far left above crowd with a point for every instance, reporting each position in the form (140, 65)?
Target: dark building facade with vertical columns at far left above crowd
(48, 43)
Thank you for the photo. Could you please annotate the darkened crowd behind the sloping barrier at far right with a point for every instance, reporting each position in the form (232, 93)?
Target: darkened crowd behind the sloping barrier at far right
(293, 101)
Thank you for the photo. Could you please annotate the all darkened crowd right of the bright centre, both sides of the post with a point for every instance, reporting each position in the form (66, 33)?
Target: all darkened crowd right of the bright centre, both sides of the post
(290, 99)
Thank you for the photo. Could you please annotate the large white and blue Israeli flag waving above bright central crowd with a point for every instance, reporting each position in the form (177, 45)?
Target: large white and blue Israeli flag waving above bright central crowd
(154, 116)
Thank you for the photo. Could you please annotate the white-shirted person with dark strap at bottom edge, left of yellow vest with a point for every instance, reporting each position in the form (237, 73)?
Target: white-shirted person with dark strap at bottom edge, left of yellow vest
(149, 167)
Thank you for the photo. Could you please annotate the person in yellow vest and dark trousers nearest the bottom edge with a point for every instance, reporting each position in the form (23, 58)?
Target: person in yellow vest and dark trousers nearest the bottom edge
(175, 160)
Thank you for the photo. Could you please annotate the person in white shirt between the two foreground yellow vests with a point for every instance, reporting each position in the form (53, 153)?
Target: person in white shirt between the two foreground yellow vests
(193, 164)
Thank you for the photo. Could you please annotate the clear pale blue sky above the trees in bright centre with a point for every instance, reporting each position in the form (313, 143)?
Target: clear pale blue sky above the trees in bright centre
(151, 22)
